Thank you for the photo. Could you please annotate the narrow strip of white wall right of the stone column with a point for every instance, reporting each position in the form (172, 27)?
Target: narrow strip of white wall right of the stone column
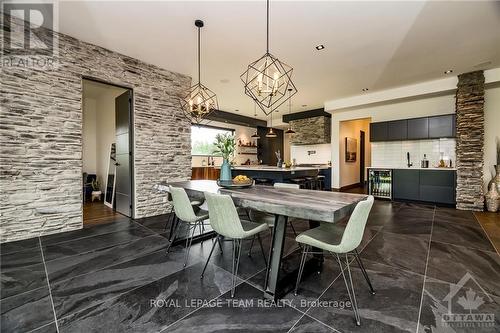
(491, 131)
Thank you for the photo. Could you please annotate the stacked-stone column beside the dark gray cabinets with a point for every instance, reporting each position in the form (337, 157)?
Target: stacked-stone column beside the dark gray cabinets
(470, 141)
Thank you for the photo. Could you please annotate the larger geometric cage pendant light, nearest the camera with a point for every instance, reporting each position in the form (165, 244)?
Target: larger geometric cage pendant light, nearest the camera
(267, 79)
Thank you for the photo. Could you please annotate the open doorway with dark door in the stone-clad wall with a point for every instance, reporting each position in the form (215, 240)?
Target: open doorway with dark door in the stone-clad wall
(107, 152)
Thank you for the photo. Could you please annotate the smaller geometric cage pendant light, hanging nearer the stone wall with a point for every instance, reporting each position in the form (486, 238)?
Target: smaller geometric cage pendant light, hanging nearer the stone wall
(199, 101)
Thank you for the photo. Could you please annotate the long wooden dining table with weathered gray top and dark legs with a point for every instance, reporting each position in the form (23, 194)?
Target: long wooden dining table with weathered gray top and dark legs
(310, 205)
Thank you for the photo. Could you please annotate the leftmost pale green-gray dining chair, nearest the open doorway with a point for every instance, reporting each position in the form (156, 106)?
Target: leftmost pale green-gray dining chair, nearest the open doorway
(184, 211)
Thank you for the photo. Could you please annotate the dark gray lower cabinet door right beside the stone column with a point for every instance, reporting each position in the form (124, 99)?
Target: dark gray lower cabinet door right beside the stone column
(438, 186)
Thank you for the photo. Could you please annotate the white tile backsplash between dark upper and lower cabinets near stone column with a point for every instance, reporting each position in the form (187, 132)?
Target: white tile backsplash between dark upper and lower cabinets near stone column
(393, 154)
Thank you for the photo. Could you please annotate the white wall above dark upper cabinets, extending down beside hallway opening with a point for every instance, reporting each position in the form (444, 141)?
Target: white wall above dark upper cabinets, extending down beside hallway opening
(392, 110)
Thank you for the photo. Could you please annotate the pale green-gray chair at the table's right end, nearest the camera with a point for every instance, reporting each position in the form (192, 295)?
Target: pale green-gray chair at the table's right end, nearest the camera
(328, 238)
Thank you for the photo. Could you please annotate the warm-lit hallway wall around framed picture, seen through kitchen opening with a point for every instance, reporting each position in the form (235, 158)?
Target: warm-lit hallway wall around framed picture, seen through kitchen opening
(349, 171)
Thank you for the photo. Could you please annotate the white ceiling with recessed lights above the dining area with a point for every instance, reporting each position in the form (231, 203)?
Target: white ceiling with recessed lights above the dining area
(375, 45)
